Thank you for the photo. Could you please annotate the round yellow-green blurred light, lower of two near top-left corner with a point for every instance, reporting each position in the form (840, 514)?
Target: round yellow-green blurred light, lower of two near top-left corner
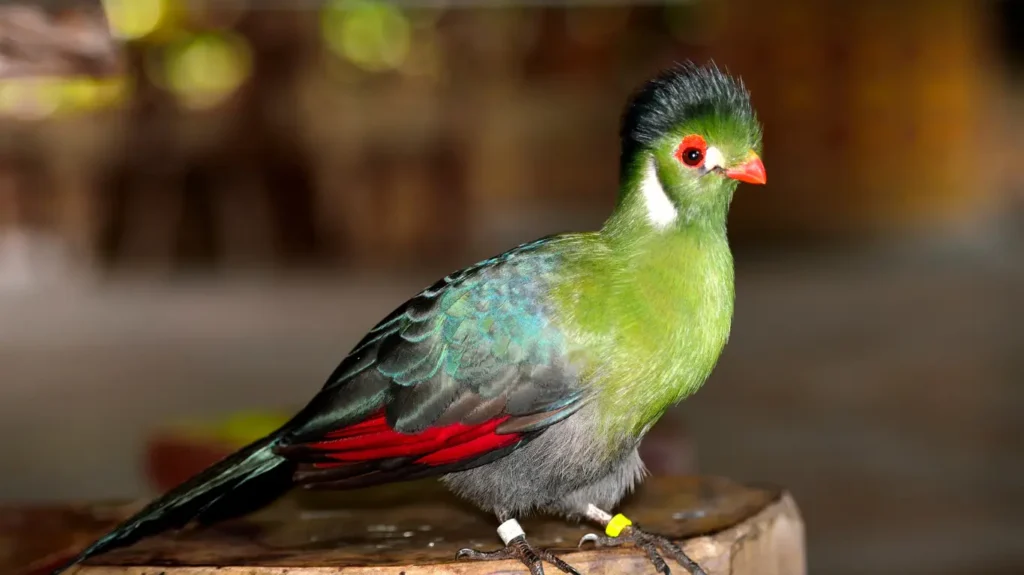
(203, 71)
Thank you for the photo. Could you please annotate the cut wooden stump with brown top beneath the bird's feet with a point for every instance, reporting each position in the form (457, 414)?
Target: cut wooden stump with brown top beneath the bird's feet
(417, 528)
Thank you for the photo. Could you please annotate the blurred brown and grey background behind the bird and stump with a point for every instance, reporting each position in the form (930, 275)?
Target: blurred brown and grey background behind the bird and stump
(201, 214)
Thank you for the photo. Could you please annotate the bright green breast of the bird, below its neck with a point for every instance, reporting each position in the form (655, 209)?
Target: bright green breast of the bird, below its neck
(649, 323)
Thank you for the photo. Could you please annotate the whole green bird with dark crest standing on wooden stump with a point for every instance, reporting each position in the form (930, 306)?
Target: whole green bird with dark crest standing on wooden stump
(526, 382)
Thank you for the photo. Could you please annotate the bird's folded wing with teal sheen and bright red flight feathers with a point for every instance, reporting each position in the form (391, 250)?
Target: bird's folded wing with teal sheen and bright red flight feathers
(461, 375)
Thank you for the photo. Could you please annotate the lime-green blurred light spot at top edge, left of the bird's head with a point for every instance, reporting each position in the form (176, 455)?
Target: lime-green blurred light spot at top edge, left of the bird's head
(373, 35)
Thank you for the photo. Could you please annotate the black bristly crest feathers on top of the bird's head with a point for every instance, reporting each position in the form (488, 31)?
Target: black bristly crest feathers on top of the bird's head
(678, 94)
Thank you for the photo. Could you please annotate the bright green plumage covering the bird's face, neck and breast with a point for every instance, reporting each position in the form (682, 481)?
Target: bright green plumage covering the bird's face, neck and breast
(648, 307)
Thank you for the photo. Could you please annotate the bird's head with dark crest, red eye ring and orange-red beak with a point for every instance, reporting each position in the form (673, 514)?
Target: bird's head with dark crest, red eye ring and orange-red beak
(689, 138)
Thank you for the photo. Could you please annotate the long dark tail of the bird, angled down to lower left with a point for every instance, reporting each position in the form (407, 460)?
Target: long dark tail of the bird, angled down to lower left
(245, 481)
